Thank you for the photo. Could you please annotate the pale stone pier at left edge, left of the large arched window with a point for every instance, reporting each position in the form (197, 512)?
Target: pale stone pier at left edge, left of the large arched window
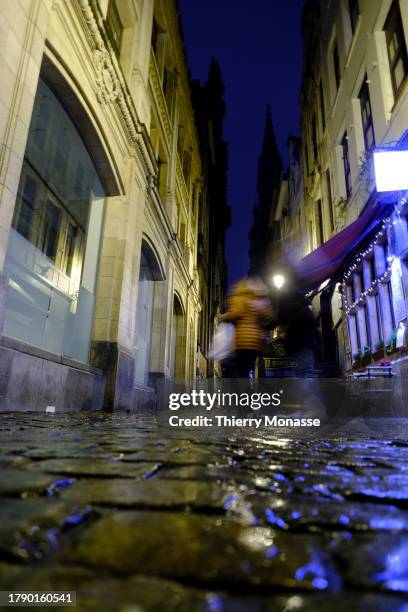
(23, 29)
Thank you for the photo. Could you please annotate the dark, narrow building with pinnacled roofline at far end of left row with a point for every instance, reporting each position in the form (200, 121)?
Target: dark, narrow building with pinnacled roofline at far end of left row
(215, 214)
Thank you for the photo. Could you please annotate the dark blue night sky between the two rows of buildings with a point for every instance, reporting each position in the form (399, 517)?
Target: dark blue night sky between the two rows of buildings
(258, 45)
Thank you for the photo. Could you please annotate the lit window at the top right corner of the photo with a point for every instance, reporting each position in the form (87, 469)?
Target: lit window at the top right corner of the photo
(397, 49)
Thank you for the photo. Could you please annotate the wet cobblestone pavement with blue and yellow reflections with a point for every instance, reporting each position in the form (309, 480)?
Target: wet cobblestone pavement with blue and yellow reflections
(135, 517)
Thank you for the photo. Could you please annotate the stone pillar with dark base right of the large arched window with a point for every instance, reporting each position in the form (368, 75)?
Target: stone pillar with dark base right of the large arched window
(117, 288)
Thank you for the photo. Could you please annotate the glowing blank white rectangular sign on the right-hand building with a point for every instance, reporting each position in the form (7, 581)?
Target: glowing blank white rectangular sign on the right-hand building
(391, 170)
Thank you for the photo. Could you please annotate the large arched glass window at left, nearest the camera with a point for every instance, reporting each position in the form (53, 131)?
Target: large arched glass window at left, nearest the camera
(52, 257)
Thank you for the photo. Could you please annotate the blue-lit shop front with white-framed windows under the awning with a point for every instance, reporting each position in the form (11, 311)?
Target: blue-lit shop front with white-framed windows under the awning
(375, 290)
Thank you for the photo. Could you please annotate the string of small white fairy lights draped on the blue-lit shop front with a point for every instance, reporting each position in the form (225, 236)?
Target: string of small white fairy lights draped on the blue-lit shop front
(386, 223)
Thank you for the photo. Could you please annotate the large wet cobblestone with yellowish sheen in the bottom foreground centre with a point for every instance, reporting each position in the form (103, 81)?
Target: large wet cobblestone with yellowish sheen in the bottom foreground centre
(197, 547)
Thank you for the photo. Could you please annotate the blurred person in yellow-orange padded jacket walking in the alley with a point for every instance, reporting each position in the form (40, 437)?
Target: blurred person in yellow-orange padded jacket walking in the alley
(249, 309)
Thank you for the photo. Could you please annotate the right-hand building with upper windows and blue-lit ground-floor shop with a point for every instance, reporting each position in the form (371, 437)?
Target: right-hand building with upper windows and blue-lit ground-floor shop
(354, 98)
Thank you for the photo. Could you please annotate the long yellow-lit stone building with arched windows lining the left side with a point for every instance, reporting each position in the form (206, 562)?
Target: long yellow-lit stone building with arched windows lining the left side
(101, 182)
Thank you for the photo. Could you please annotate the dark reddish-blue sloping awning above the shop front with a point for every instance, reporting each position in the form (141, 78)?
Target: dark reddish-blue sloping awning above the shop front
(323, 262)
